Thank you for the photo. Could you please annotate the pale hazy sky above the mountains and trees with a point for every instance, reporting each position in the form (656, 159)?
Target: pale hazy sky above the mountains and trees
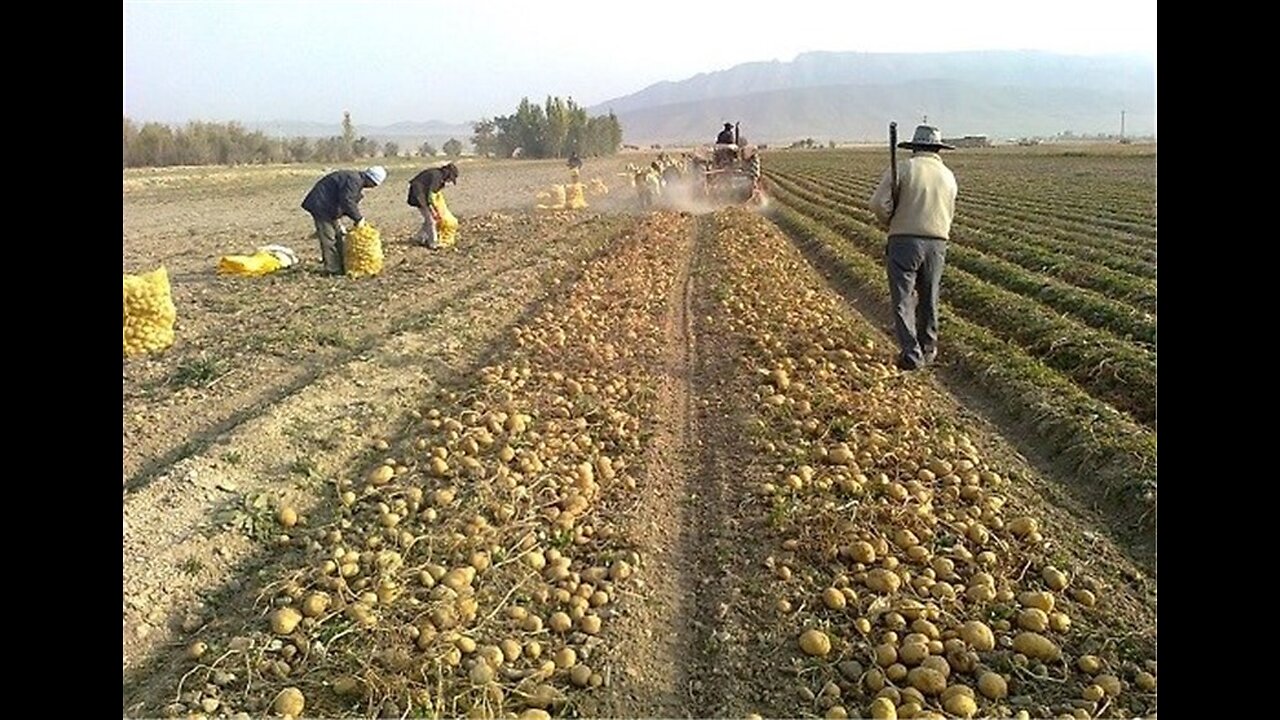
(456, 62)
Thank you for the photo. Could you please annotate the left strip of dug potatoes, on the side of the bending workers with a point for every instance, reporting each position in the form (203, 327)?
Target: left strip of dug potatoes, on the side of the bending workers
(469, 571)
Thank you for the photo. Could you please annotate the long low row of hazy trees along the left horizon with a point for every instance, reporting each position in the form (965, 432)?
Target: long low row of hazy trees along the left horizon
(153, 145)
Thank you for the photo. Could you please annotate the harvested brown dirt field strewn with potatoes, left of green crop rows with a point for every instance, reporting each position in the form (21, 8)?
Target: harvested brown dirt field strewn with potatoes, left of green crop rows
(630, 459)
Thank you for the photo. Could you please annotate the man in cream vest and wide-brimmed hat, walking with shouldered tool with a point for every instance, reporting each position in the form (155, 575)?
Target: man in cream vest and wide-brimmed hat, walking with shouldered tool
(918, 213)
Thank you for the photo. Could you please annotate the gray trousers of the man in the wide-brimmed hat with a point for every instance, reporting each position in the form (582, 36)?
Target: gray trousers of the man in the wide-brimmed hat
(915, 267)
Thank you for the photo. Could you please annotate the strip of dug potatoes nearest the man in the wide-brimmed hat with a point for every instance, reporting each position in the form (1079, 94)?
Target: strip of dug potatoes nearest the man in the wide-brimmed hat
(912, 575)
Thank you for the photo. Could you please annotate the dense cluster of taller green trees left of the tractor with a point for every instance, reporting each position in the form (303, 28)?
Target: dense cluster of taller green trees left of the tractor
(557, 130)
